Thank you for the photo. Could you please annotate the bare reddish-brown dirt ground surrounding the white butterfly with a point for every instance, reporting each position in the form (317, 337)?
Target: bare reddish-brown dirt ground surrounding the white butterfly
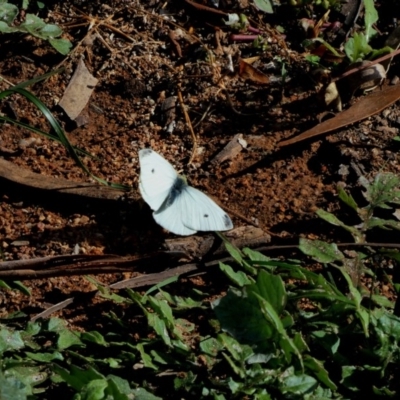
(156, 51)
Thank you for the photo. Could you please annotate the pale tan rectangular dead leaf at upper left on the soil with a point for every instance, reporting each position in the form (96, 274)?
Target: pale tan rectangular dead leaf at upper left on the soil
(78, 91)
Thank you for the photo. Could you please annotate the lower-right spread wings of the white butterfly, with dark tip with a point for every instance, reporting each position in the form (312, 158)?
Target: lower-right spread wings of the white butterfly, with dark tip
(188, 210)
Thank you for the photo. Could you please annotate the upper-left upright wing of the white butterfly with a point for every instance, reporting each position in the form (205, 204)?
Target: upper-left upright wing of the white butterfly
(157, 177)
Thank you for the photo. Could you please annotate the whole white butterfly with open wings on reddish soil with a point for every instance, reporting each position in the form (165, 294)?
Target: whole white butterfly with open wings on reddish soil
(177, 207)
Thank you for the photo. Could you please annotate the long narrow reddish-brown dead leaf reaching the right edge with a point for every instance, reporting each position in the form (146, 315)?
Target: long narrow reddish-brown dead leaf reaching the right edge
(367, 106)
